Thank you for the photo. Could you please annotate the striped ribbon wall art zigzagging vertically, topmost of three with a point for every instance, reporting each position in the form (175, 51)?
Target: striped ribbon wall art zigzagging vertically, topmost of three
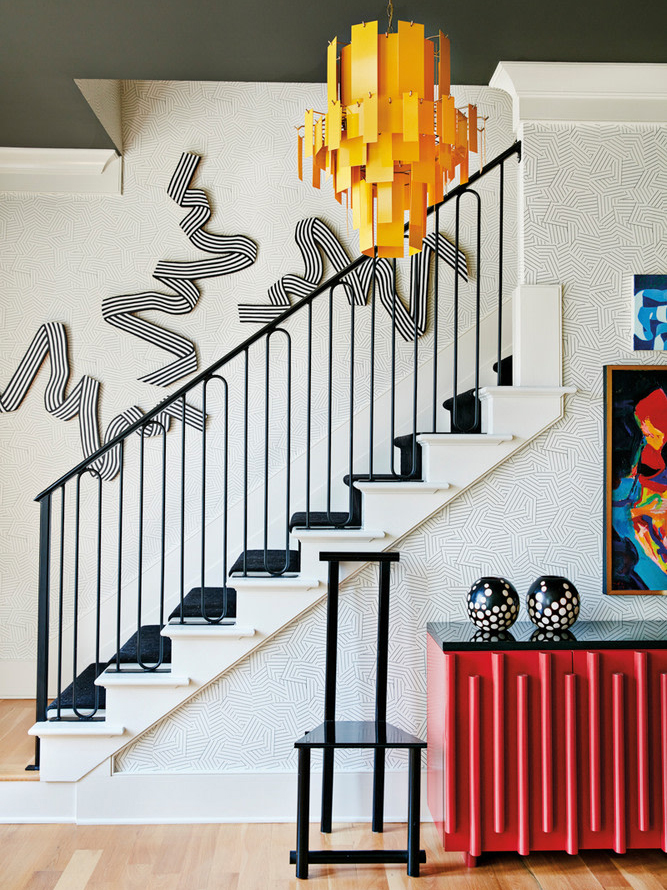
(236, 252)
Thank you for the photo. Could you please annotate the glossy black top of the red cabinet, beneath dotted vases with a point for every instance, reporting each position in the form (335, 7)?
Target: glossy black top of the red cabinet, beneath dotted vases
(464, 636)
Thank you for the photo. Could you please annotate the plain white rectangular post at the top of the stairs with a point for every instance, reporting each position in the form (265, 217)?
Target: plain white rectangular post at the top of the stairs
(537, 335)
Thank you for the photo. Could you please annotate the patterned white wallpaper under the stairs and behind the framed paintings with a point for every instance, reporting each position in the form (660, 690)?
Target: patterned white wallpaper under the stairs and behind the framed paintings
(594, 215)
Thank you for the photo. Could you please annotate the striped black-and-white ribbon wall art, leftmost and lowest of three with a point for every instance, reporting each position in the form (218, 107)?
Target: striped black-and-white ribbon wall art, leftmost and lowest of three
(83, 401)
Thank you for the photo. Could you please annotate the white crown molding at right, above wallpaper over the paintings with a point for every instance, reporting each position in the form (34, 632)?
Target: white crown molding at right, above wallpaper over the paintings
(584, 91)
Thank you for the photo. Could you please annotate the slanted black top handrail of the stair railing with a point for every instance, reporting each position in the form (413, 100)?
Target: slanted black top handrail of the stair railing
(331, 282)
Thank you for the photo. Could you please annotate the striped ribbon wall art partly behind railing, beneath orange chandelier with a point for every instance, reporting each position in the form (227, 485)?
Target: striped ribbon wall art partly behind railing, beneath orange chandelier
(314, 238)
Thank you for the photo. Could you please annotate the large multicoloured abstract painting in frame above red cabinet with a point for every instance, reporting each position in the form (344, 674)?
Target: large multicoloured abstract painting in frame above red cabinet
(636, 479)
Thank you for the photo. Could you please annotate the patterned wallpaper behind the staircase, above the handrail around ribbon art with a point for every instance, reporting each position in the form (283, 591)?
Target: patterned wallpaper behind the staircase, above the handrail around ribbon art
(62, 255)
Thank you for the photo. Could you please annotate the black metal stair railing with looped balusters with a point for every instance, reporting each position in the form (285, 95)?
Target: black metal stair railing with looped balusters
(266, 435)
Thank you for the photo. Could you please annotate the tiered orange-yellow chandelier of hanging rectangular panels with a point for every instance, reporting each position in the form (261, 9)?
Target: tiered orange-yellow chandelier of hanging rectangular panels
(391, 137)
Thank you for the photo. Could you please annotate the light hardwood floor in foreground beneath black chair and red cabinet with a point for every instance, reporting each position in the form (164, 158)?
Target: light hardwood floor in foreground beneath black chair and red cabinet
(255, 857)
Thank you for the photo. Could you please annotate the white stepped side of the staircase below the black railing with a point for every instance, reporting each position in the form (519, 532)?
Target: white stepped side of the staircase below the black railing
(201, 654)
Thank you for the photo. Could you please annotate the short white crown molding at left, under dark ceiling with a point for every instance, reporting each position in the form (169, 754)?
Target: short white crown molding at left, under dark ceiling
(69, 170)
